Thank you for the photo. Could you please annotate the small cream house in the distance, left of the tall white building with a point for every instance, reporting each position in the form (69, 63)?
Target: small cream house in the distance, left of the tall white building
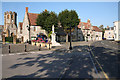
(109, 33)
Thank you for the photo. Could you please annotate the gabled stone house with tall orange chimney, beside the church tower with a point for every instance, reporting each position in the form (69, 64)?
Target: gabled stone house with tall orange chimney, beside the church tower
(29, 21)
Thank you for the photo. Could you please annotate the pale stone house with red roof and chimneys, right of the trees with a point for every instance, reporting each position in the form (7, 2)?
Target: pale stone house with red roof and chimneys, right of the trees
(88, 32)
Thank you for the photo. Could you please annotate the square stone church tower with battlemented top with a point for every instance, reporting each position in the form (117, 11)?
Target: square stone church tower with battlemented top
(10, 23)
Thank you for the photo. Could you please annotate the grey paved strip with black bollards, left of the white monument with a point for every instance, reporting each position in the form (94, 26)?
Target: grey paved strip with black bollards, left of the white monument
(15, 48)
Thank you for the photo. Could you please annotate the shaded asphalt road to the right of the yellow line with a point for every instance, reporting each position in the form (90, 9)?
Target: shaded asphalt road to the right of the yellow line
(105, 55)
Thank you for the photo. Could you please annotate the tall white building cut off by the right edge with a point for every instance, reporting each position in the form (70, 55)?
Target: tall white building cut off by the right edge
(117, 30)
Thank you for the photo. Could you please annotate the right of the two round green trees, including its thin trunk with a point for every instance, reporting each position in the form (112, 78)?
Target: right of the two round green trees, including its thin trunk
(67, 19)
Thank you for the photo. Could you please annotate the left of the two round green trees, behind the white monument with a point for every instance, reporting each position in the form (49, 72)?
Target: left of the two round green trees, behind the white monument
(46, 19)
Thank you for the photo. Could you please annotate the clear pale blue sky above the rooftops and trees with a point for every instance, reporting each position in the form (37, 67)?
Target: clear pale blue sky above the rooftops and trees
(99, 13)
